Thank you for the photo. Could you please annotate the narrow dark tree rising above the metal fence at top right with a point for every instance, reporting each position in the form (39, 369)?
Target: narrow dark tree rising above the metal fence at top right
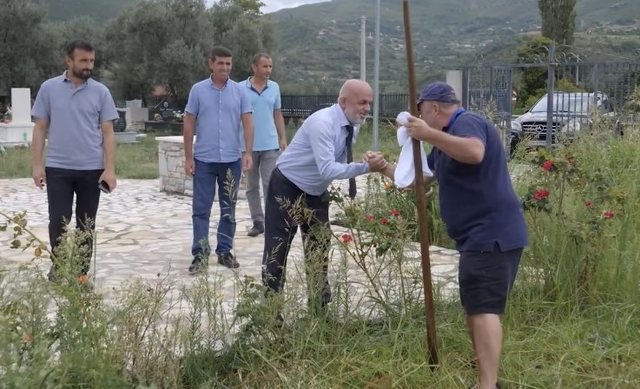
(558, 20)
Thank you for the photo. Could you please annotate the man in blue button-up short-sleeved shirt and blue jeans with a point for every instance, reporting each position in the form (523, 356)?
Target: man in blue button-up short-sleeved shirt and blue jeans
(216, 108)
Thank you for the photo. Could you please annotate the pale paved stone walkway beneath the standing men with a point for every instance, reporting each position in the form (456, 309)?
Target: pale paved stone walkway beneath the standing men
(144, 233)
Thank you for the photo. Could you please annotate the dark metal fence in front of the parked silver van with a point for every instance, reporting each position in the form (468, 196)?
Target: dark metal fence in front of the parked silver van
(577, 90)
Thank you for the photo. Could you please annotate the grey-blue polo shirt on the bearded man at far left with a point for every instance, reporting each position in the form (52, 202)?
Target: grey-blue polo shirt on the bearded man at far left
(74, 115)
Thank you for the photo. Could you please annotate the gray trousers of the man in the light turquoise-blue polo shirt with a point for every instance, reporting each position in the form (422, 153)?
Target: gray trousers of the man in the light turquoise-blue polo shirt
(263, 164)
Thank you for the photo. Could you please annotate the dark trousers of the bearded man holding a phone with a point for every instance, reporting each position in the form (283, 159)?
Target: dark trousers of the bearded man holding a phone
(61, 186)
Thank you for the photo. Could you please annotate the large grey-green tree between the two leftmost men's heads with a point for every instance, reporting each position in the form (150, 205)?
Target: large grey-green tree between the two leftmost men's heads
(158, 43)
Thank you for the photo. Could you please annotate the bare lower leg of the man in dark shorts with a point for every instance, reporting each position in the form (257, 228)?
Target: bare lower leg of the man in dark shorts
(486, 335)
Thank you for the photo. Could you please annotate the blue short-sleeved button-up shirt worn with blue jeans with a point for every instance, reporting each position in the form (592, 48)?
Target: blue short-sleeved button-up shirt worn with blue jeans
(218, 113)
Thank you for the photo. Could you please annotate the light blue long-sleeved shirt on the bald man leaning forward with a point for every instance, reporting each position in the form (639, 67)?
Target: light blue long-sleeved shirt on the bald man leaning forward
(317, 153)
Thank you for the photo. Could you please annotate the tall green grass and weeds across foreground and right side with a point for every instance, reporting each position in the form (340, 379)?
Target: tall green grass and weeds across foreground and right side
(573, 318)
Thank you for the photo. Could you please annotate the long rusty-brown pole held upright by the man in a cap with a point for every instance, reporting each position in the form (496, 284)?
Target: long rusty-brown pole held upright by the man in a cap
(420, 199)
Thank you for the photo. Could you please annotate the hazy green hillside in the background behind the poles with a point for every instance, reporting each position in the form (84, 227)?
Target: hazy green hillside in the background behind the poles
(319, 43)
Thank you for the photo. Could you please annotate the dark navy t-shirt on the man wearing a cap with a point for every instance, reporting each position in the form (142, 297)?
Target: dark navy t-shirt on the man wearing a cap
(477, 202)
